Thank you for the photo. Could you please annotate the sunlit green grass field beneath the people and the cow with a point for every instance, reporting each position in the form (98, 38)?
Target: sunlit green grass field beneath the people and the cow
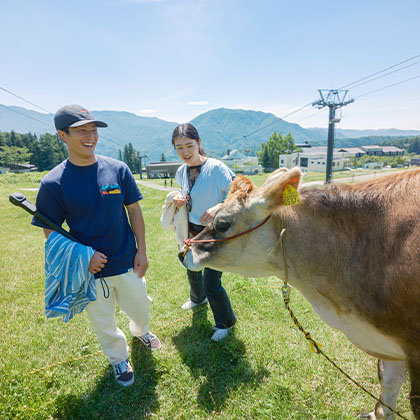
(264, 370)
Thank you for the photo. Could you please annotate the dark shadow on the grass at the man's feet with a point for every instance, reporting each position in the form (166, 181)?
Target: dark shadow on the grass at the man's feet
(112, 401)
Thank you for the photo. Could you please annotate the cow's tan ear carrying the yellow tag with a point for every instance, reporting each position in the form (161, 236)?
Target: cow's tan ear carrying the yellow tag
(273, 188)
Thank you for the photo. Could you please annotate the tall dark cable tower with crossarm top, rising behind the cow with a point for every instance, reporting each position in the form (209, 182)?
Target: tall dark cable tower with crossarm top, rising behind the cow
(333, 99)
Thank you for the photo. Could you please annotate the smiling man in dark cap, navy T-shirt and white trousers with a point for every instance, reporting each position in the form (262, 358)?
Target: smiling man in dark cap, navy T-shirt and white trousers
(92, 193)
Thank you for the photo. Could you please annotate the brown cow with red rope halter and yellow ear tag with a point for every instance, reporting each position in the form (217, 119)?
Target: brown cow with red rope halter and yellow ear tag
(352, 250)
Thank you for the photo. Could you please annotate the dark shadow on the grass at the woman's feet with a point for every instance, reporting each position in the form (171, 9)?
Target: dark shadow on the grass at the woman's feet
(223, 364)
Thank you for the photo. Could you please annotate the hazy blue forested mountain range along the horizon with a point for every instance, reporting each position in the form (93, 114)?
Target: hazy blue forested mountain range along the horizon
(220, 129)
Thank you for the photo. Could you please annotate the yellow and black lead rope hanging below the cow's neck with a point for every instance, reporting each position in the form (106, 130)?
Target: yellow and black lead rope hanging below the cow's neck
(315, 347)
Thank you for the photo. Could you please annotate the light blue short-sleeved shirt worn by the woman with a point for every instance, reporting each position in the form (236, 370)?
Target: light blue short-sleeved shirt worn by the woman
(210, 188)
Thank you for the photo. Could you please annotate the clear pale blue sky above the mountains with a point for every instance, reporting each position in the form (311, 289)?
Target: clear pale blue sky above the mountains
(175, 59)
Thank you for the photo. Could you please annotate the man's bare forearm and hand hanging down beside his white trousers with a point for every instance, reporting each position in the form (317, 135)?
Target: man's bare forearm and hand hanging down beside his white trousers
(135, 216)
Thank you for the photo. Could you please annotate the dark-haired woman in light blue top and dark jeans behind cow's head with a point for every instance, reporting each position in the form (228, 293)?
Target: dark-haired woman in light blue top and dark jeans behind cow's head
(205, 184)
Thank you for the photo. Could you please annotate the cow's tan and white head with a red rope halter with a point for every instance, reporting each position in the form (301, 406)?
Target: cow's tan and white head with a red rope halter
(245, 207)
